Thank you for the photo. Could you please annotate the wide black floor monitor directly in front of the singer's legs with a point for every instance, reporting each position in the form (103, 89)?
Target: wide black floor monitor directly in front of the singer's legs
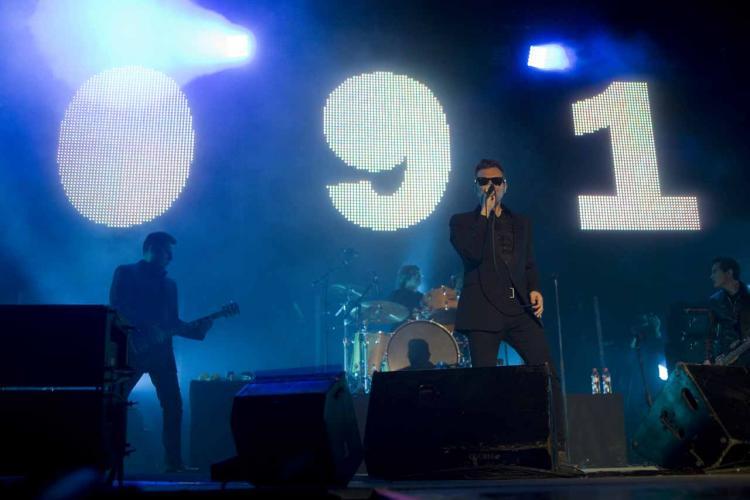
(447, 423)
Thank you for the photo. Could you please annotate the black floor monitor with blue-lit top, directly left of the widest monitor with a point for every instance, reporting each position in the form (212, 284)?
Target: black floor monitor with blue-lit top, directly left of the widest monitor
(296, 429)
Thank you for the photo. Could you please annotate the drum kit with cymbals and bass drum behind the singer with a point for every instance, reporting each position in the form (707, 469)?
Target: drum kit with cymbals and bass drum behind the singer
(388, 337)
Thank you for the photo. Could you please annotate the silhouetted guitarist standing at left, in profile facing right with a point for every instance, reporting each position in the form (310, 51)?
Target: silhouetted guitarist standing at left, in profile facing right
(147, 299)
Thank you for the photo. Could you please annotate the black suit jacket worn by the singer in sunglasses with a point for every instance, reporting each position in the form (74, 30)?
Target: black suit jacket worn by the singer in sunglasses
(480, 307)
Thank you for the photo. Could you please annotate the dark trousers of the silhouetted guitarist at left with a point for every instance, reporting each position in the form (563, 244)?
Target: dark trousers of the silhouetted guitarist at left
(170, 399)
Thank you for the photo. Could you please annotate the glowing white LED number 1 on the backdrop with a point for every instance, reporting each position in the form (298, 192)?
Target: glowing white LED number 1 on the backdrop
(624, 109)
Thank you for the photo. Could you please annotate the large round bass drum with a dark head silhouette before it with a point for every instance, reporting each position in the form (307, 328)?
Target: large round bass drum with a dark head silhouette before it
(421, 345)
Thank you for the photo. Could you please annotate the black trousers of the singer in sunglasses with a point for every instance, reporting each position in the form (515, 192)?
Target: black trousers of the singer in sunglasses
(527, 337)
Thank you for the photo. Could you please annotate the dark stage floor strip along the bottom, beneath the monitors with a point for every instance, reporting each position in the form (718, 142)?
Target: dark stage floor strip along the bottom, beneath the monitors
(621, 483)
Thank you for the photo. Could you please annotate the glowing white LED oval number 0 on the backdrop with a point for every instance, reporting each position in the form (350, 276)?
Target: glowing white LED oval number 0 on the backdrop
(126, 145)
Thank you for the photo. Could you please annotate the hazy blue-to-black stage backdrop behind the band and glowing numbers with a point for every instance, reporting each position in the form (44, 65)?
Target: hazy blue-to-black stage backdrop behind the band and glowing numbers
(255, 224)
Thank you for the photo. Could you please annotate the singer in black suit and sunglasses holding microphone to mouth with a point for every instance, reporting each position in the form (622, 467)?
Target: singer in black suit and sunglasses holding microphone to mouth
(500, 299)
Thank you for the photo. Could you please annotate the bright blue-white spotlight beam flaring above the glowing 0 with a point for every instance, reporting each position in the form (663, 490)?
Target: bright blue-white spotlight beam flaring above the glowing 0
(81, 38)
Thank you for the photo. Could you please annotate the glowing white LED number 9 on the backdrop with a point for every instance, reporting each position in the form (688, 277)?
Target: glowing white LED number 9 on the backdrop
(375, 122)
